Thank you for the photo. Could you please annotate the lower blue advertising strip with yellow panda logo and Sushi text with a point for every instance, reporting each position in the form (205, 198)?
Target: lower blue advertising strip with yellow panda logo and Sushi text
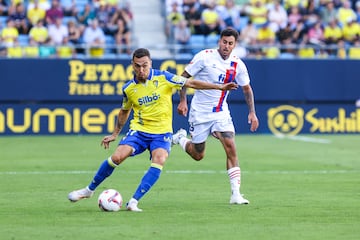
(18, 119)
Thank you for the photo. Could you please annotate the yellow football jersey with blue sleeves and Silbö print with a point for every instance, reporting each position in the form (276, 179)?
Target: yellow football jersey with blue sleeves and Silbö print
(152, 101)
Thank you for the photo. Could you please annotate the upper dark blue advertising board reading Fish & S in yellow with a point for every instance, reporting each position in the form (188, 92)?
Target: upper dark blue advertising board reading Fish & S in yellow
(102, 80)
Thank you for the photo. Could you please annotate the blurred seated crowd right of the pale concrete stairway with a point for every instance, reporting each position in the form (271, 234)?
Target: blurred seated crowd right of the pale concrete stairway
(268, 28)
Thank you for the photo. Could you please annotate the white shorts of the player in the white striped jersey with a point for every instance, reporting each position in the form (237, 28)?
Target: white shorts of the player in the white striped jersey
(200, 132)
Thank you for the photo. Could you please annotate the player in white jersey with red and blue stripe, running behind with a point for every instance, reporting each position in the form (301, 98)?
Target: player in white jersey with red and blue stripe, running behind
(209, 112)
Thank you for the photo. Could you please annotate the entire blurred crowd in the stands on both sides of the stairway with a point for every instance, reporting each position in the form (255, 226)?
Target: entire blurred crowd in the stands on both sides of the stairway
(268, 28)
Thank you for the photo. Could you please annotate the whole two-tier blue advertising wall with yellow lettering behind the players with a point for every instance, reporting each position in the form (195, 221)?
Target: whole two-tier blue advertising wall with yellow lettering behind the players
(78, 96)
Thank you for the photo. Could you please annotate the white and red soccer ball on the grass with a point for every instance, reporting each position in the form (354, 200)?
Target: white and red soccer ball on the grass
(110, 200)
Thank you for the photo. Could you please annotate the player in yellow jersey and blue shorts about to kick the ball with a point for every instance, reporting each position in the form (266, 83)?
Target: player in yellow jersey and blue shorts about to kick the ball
(149, 95)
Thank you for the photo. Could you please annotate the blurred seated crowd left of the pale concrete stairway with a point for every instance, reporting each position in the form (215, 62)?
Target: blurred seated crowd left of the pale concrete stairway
(64, 28)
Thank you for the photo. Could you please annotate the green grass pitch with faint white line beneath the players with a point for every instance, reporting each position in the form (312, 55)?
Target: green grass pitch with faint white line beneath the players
(306, 187)
